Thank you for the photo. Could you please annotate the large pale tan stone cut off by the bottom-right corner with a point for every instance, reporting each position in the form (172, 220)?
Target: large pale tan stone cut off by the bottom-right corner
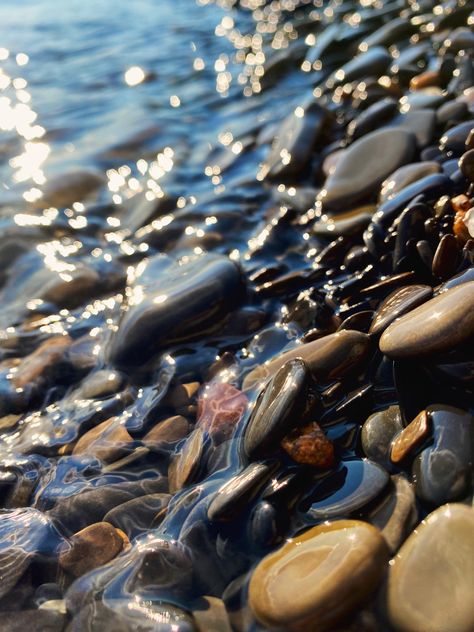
(431, 579)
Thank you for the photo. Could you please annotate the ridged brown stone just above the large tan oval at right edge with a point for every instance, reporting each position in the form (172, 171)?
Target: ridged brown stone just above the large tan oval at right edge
(399, 302)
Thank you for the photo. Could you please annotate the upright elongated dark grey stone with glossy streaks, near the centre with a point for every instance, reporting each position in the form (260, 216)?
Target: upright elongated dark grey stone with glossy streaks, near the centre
(279, 409)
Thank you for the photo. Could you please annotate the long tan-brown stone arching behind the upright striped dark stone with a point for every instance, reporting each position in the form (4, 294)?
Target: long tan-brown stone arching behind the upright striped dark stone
(329, 357)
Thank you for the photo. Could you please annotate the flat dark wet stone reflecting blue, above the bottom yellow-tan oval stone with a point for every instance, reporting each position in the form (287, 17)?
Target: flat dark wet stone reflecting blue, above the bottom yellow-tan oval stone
(356, 483)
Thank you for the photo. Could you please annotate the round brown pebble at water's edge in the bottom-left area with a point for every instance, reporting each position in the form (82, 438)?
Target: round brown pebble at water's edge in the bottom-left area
(94, 546)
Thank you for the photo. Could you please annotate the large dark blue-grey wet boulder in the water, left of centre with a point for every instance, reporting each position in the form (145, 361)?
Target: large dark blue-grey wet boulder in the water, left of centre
(161, 313)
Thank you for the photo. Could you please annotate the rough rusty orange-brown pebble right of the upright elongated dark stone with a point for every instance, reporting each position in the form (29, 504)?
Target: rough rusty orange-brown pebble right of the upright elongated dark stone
(309, 445)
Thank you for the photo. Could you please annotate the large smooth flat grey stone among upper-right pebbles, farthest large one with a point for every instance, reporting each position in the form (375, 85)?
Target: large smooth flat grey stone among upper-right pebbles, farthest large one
(365, 165)
